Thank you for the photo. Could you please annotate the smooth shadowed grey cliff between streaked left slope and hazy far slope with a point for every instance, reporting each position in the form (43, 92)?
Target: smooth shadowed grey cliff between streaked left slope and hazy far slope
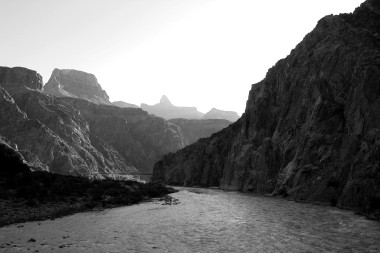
(141, 139)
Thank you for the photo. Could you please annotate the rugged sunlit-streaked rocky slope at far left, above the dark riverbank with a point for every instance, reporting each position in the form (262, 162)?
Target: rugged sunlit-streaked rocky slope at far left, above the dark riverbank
(52, 133)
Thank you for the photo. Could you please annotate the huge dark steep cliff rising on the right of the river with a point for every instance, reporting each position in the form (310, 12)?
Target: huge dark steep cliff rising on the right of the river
(311, 128)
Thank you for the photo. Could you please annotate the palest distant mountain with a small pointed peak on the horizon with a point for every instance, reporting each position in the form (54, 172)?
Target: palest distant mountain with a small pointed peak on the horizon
(165, 109)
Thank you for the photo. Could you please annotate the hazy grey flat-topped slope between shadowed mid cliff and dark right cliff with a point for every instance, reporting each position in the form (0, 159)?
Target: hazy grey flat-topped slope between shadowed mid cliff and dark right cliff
(193, 129)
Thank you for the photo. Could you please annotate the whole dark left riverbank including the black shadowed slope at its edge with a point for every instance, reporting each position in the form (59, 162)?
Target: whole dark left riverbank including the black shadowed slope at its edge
(27, 195)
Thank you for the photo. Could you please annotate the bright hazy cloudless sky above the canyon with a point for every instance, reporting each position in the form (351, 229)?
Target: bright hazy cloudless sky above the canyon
(203, 53)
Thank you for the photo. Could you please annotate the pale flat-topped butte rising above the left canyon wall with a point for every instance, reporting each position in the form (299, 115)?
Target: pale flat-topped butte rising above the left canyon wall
(77, 84)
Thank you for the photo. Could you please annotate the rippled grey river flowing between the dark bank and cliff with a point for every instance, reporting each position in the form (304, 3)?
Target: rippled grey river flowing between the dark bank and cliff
(205, 220)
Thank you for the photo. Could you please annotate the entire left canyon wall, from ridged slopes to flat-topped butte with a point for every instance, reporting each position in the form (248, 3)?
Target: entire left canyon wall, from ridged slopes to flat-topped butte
(69, 126)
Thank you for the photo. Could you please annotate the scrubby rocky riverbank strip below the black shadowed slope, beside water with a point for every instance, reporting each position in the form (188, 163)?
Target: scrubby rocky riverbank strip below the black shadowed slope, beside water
(97, 197)
